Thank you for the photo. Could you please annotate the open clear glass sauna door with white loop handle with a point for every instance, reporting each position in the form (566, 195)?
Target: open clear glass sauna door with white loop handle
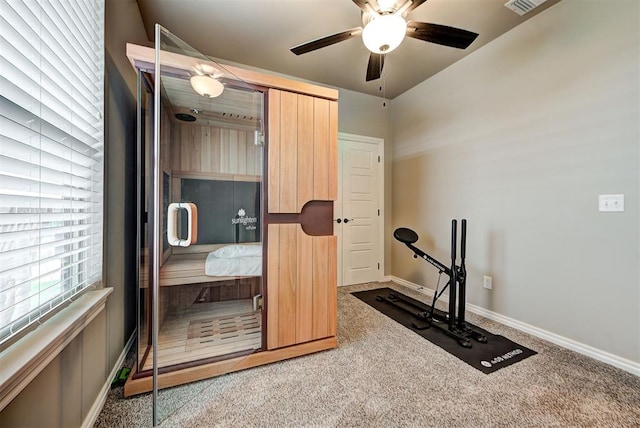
(206, 217)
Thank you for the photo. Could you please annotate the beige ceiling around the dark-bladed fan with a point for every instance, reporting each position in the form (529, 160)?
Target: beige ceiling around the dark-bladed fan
(259, 33)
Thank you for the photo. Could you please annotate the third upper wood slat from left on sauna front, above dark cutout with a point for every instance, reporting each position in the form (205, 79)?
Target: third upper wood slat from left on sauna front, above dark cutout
(305, 151)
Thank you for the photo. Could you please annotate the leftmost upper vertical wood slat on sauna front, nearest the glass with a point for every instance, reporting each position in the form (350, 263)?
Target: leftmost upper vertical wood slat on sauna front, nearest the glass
(273, 151)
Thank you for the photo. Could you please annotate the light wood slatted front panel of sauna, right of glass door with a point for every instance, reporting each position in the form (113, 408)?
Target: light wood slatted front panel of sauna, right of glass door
(302, 167)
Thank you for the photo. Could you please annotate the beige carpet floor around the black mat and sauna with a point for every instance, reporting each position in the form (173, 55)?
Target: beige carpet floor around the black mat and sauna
(384, 375)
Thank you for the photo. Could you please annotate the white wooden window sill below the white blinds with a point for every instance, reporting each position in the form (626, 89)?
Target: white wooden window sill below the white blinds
(21, 362)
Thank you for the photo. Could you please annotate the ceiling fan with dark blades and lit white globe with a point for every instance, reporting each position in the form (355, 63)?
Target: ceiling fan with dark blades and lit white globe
(385, 26)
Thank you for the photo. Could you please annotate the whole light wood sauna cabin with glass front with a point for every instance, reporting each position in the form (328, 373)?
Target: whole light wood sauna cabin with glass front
(241, 189)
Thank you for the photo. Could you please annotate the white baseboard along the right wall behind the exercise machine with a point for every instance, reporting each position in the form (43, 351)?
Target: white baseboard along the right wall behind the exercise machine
(600, 355)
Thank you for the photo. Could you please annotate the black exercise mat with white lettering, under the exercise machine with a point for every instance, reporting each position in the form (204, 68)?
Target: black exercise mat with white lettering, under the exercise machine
(488, 357)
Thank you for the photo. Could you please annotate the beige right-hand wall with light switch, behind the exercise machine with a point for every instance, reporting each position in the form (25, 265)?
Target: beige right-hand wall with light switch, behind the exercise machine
(521, 137)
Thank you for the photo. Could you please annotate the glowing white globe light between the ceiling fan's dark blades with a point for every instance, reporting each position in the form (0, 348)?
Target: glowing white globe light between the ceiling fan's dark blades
(384, 33)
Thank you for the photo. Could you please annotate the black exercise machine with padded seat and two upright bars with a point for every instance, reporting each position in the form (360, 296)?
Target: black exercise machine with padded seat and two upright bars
(449, 322)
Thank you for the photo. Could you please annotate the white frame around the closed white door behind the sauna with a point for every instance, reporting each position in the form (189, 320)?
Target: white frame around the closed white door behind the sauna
(380, 188)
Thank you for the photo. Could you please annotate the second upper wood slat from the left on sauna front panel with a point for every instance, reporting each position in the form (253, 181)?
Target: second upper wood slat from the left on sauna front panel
(288, 153)
